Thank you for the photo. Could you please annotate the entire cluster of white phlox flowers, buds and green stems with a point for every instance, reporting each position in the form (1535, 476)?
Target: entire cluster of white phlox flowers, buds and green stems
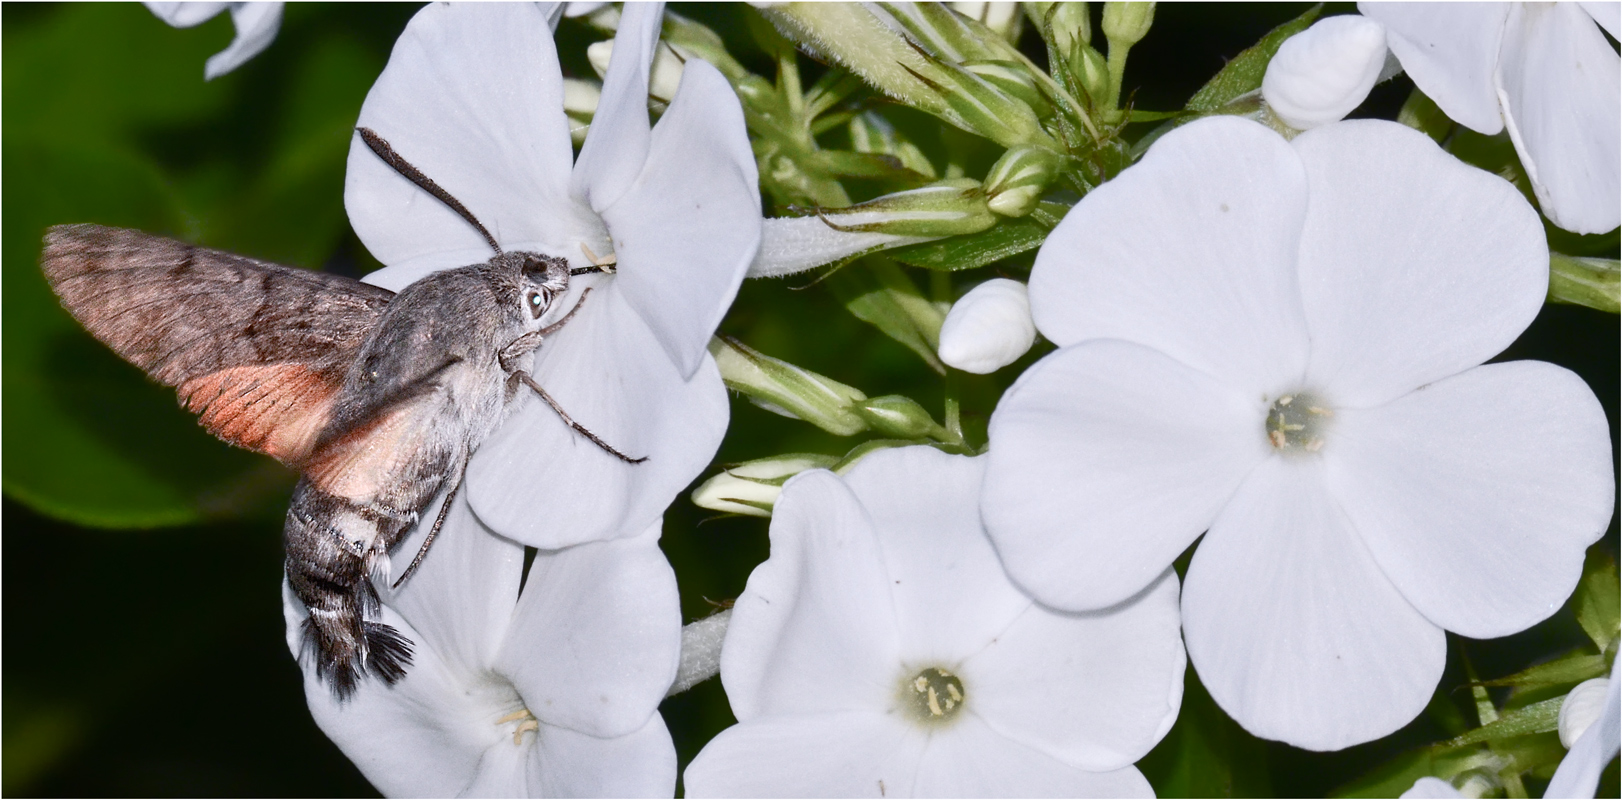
(1255, 419)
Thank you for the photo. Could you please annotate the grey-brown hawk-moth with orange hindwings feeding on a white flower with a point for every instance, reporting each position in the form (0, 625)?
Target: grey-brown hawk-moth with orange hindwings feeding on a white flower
(375, 398)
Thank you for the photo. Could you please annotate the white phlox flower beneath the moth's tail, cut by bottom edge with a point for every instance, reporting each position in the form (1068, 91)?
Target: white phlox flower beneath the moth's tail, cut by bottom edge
(551, 692)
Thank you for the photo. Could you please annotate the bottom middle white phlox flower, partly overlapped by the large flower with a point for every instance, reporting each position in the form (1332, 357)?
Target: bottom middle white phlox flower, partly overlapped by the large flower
(882, 652)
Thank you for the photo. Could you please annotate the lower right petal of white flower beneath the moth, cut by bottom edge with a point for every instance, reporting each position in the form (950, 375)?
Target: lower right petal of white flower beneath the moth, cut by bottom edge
(575, 765)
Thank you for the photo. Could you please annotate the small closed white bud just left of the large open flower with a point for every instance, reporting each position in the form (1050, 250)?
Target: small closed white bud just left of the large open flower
(989, 329)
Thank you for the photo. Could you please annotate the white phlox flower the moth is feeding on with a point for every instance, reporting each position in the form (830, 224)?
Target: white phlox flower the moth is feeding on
(473, 97)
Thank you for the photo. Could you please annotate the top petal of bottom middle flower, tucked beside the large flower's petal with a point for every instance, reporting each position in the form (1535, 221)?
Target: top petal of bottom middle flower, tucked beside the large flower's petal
(950, 591)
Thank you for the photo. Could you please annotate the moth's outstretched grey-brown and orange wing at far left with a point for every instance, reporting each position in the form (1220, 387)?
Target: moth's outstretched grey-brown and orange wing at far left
(257, 350)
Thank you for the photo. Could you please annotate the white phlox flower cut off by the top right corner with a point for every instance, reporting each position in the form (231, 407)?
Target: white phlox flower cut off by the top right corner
(1542, 71)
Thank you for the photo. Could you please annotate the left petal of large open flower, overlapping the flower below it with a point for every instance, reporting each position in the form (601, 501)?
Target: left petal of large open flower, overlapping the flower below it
(1107, 462)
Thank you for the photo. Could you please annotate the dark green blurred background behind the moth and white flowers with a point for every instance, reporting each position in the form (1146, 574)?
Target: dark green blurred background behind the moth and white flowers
(144, 634)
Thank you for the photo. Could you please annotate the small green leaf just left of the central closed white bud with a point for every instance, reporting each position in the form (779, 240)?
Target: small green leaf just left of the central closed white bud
(882, 295)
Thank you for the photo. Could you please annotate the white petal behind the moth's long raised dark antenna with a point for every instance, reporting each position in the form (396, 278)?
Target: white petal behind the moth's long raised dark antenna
(474, 100)
